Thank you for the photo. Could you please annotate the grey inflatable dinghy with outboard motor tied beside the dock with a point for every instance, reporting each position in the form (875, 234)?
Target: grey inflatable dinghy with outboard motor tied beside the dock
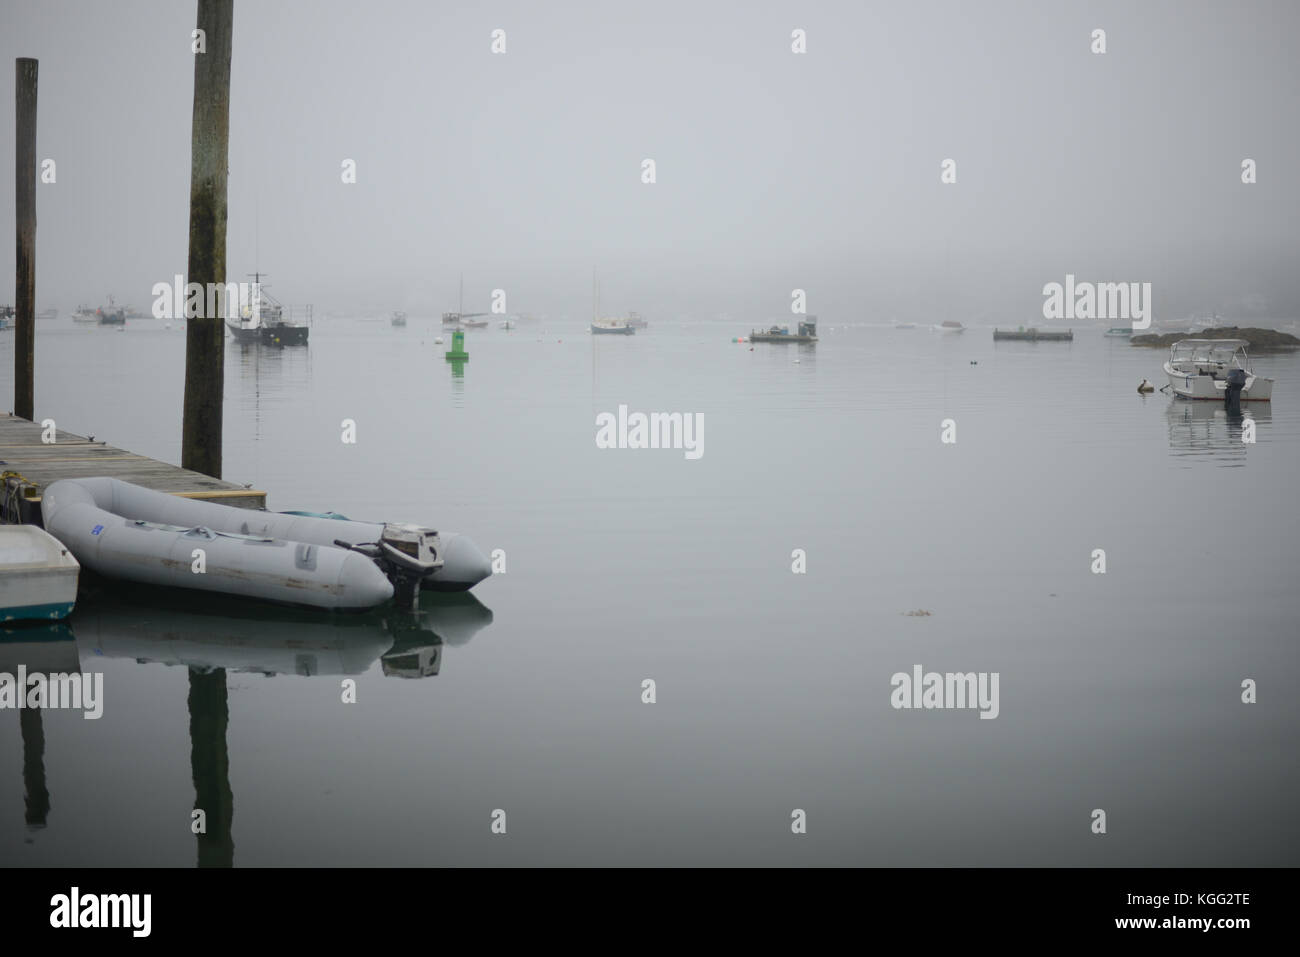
(128, 532)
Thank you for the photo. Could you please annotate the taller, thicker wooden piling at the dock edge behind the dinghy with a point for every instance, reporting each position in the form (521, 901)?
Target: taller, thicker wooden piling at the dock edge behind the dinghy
(205, 339)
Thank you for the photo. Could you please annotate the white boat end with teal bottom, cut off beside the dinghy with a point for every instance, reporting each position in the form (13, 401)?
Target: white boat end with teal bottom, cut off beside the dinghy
(38, 575)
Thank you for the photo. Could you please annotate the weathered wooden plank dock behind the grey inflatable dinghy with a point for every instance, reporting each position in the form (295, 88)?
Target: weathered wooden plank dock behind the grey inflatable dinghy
(40, 464)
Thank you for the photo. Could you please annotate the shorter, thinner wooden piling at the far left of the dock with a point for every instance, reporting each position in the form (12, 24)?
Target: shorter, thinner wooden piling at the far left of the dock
(25, 245)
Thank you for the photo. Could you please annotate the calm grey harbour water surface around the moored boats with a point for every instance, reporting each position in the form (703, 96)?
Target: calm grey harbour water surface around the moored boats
(1119, 691)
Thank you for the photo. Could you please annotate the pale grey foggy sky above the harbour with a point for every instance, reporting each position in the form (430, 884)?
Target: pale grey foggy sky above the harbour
(775, 171)
